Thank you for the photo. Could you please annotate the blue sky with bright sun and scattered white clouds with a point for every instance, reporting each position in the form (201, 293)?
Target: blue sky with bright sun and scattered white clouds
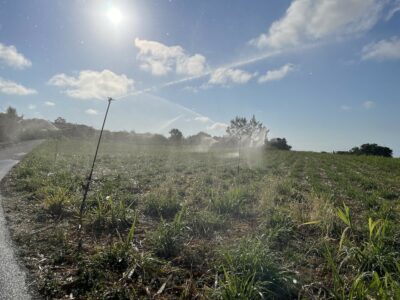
(324, 74)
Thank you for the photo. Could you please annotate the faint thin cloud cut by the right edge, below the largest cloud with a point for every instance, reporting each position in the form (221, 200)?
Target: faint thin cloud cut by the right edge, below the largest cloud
(382, 50)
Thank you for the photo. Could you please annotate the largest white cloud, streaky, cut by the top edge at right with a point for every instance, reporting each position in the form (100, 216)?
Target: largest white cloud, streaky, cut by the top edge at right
(310, 21)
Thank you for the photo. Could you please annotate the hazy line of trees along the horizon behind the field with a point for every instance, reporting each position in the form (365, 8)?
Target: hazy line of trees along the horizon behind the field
(241, 132)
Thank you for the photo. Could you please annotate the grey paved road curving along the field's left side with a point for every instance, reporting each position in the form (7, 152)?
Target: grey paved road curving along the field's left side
(12, 278)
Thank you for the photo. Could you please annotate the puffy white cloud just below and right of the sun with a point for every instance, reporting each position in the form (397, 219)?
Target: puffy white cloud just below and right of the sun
(160, 59)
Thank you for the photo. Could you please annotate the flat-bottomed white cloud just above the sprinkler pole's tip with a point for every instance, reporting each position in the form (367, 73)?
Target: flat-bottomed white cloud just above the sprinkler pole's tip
(93, 85)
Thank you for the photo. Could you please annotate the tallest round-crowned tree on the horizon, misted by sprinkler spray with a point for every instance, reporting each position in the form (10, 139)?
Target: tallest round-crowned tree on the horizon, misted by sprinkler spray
(251, 132)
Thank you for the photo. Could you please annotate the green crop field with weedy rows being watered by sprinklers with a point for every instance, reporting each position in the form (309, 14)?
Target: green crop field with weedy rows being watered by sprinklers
(170, 222)
